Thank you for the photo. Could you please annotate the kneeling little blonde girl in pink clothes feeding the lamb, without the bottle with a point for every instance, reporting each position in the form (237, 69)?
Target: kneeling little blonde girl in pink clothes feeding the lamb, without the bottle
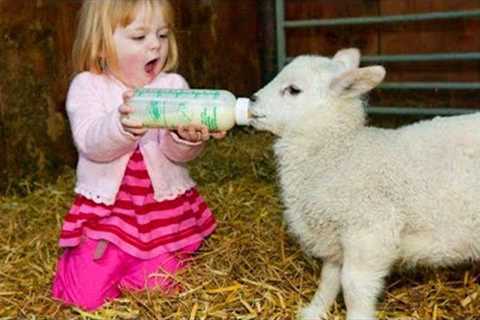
(137, 215)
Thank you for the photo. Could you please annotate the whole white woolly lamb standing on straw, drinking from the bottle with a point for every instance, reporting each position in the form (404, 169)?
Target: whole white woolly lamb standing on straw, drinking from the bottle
(362, 198)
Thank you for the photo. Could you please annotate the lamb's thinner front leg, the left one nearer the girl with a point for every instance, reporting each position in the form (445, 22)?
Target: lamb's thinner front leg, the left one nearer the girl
(326, 293)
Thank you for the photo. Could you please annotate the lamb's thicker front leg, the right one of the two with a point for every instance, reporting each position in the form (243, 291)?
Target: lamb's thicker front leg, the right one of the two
(367, 260)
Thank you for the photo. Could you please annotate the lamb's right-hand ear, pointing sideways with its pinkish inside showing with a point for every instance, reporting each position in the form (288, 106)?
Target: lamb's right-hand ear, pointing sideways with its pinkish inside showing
(356, 82)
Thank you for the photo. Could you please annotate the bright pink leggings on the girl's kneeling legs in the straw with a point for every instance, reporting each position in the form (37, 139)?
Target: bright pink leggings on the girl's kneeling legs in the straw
(87, 283)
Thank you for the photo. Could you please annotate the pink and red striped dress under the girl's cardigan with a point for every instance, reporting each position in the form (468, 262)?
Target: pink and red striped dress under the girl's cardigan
(136, 222)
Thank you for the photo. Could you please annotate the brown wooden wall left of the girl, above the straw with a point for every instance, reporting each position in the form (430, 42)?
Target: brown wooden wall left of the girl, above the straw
(34, 57)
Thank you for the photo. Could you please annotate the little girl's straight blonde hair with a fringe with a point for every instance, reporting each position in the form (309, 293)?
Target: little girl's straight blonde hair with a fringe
(94, 49)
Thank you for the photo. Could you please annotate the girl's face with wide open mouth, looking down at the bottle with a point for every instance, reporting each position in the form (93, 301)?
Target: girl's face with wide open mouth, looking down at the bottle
(142, 48)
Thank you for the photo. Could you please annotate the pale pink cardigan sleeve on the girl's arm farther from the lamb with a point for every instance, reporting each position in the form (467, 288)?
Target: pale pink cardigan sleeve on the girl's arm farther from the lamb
(97, 131)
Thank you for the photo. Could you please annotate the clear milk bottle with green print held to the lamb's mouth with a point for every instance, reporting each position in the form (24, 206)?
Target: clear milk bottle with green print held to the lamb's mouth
(218, 110)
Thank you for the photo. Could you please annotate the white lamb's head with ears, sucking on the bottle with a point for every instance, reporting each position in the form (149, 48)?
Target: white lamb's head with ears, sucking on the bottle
(312, 91)
